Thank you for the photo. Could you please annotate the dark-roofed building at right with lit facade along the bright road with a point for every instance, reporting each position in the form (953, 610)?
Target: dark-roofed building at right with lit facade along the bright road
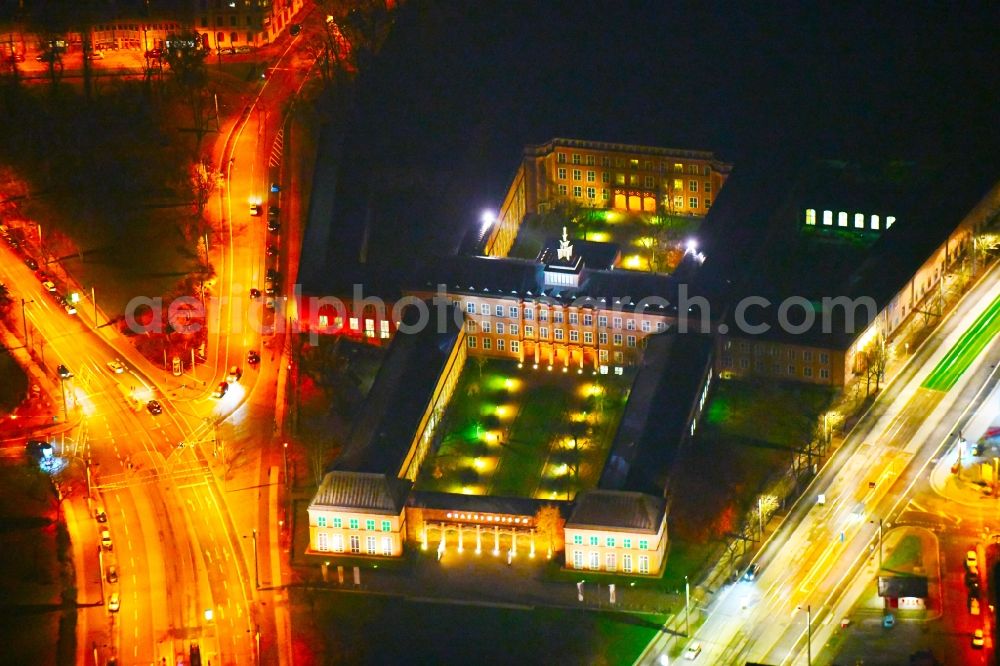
(844, 255)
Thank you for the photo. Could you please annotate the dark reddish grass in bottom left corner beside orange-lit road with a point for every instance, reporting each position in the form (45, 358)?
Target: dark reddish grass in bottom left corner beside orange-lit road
(29, 567)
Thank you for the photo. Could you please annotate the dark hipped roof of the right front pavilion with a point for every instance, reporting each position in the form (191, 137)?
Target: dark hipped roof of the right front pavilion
(612, 509)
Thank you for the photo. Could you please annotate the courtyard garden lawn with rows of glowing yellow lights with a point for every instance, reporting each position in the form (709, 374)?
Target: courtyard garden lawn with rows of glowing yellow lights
(508, 432)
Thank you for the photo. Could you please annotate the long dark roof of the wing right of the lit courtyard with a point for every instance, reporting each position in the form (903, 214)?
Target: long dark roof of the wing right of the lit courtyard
(657, 417)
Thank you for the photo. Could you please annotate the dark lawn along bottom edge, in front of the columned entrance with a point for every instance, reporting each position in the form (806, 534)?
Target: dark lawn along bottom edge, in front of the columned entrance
(356, 629)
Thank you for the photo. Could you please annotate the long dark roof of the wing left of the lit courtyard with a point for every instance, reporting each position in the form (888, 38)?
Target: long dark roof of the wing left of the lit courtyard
(383, 432)
